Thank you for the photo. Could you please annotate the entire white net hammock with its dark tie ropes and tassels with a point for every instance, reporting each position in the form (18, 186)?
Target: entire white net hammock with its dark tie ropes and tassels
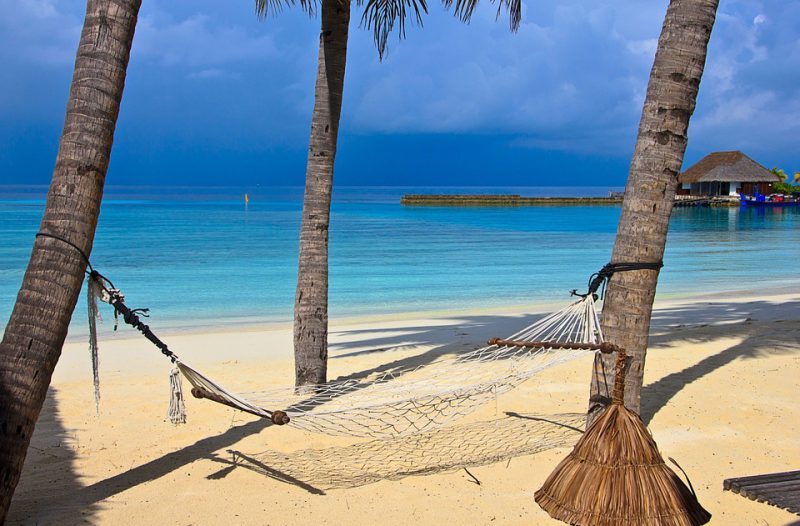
(396, 402)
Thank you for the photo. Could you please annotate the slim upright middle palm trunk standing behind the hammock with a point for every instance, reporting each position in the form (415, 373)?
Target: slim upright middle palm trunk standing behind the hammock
(311, 300)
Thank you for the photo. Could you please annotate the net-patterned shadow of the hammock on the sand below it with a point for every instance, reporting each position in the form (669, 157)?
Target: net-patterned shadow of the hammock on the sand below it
(437, 451)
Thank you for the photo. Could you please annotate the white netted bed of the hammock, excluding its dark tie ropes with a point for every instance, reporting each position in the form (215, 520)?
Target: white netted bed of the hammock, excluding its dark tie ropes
(398, 403)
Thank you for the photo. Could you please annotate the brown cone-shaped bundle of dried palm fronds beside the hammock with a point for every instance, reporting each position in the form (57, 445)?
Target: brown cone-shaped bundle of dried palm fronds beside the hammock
(616, 476)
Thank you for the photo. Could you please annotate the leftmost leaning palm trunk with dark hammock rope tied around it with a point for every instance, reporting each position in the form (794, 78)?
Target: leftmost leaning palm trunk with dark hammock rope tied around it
(37, 328)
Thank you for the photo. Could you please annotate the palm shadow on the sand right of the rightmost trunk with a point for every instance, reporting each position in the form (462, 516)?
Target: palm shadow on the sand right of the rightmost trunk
(710, 322)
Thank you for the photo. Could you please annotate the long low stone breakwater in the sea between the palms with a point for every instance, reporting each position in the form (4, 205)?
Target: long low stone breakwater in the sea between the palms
(502, 200)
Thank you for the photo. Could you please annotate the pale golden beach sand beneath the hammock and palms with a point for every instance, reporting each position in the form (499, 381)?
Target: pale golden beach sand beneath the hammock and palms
(720, 396)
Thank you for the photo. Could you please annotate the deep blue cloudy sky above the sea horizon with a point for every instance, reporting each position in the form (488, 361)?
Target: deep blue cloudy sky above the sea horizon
(216, 96)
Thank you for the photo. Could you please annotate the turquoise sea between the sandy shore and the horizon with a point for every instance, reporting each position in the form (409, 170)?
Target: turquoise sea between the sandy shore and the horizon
(199, 257)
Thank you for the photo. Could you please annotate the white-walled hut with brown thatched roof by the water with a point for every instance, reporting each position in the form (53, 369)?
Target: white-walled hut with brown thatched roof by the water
(726, 173)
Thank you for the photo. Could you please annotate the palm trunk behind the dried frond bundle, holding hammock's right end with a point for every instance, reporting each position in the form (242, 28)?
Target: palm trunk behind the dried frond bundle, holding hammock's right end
(650, 191)
